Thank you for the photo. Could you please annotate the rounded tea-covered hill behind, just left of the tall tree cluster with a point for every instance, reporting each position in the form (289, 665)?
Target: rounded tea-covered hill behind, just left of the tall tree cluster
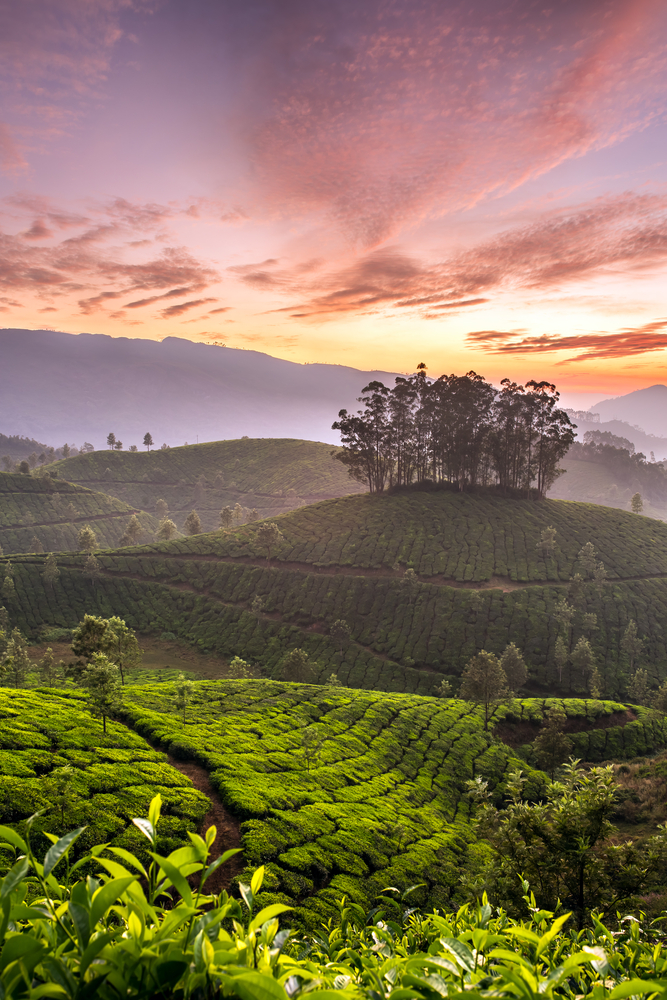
(269, 475)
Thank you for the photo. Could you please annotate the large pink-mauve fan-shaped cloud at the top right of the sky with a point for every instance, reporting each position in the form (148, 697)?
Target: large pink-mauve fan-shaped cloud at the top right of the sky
(380, 115)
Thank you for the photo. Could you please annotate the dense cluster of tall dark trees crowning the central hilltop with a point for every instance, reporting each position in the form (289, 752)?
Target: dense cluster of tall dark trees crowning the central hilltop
(456, 429)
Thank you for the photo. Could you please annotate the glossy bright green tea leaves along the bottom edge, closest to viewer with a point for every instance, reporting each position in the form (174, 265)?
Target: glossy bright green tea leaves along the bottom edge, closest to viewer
(129, 930)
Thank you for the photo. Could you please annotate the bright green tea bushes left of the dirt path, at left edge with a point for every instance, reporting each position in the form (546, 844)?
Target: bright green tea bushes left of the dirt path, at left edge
(55, 756)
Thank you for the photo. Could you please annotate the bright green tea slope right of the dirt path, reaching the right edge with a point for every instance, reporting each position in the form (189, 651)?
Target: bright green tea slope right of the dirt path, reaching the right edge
(345, 792)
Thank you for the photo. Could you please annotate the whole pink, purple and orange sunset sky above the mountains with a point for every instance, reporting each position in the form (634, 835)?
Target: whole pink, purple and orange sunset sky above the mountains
(478, 185)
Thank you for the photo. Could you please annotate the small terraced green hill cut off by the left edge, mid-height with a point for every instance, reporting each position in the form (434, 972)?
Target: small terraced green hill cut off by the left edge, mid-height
(51, 513)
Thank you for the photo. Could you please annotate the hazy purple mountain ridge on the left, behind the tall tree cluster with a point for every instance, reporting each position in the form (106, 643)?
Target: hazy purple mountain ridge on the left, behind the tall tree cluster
(59, 387)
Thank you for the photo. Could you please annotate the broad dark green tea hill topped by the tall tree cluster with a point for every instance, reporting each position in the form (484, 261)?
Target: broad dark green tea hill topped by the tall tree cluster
(481, 580)
